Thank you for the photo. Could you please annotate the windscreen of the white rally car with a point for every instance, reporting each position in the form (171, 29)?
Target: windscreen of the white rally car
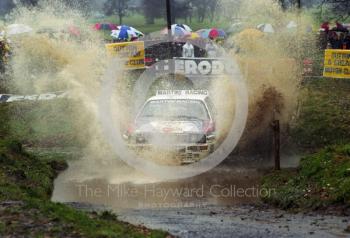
(175, 110)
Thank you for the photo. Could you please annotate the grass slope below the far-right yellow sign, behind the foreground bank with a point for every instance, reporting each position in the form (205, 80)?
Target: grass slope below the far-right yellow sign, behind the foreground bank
(324, 114)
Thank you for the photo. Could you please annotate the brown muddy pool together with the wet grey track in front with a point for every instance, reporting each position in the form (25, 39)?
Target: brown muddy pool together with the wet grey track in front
(220, 203)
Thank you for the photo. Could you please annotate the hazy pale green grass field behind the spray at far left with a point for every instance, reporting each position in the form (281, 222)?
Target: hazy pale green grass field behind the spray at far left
(45, 124)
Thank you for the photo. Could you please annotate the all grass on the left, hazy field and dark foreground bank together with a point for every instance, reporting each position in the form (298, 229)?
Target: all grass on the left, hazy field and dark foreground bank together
(26, 180)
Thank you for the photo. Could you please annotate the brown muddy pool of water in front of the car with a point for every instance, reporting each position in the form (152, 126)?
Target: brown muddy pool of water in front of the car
(221, 186)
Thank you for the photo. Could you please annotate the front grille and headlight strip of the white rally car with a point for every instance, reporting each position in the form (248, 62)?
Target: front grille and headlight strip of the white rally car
(170, 138)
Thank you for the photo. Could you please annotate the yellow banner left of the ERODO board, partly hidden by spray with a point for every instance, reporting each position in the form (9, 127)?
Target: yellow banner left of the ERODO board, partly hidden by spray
(132, 52)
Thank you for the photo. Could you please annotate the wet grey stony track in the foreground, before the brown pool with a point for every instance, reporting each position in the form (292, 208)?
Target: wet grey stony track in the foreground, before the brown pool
(237, 221)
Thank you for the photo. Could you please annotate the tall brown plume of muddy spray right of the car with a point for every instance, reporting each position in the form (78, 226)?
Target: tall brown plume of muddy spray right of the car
(271, 63)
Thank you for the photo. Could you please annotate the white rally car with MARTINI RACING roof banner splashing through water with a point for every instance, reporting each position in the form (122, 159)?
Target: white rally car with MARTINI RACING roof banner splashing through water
(180, 121)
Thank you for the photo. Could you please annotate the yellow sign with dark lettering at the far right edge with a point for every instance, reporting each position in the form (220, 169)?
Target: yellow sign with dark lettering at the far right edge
(337, 64)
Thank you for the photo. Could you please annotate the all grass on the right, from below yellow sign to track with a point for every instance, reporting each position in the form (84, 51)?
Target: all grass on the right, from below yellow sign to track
(322, 130)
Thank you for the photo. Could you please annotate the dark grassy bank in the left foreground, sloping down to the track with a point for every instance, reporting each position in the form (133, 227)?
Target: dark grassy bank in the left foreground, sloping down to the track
(27, 182)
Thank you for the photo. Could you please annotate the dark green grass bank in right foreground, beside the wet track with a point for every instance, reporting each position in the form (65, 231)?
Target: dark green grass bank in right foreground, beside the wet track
(322, 180)
